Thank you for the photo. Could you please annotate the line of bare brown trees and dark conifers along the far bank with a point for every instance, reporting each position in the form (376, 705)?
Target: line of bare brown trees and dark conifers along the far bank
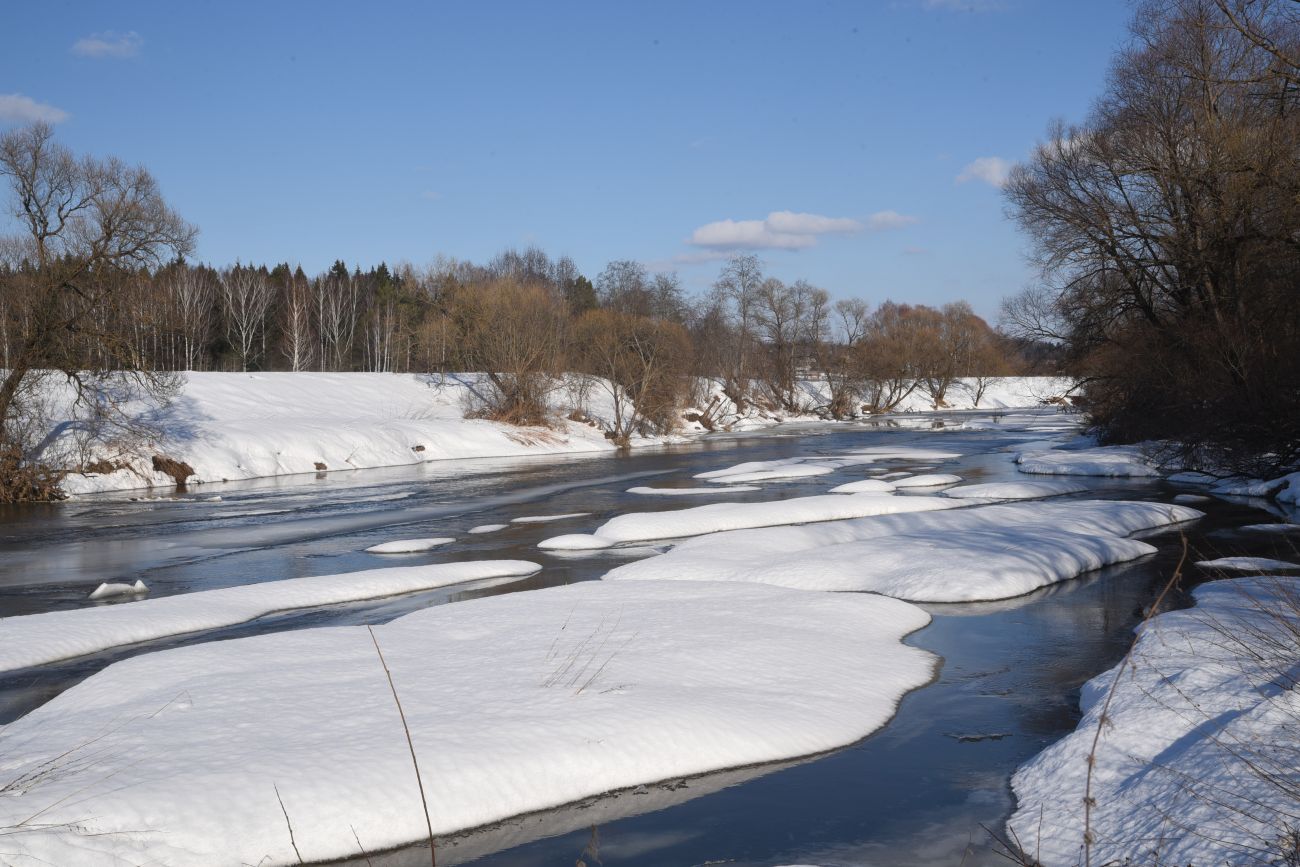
(97, 287)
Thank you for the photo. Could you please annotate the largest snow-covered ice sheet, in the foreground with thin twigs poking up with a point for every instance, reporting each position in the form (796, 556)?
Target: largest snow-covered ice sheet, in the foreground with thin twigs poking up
(184, 757)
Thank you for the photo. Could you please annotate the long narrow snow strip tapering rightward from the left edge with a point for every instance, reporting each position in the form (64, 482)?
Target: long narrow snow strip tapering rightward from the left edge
(40, 639)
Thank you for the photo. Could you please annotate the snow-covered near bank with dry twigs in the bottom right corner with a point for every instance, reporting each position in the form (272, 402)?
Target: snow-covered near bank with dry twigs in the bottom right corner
(1204, 714)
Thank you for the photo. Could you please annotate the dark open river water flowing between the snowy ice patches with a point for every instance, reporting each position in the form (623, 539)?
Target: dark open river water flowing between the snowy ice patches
(917, 792)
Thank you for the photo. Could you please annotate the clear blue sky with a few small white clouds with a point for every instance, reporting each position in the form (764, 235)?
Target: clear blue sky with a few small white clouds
(856, 145)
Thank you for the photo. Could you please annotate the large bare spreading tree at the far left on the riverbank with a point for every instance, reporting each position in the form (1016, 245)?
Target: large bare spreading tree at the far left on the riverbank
(86, 224)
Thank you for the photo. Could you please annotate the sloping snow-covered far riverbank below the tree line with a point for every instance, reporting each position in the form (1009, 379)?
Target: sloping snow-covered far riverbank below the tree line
(228, 427)
